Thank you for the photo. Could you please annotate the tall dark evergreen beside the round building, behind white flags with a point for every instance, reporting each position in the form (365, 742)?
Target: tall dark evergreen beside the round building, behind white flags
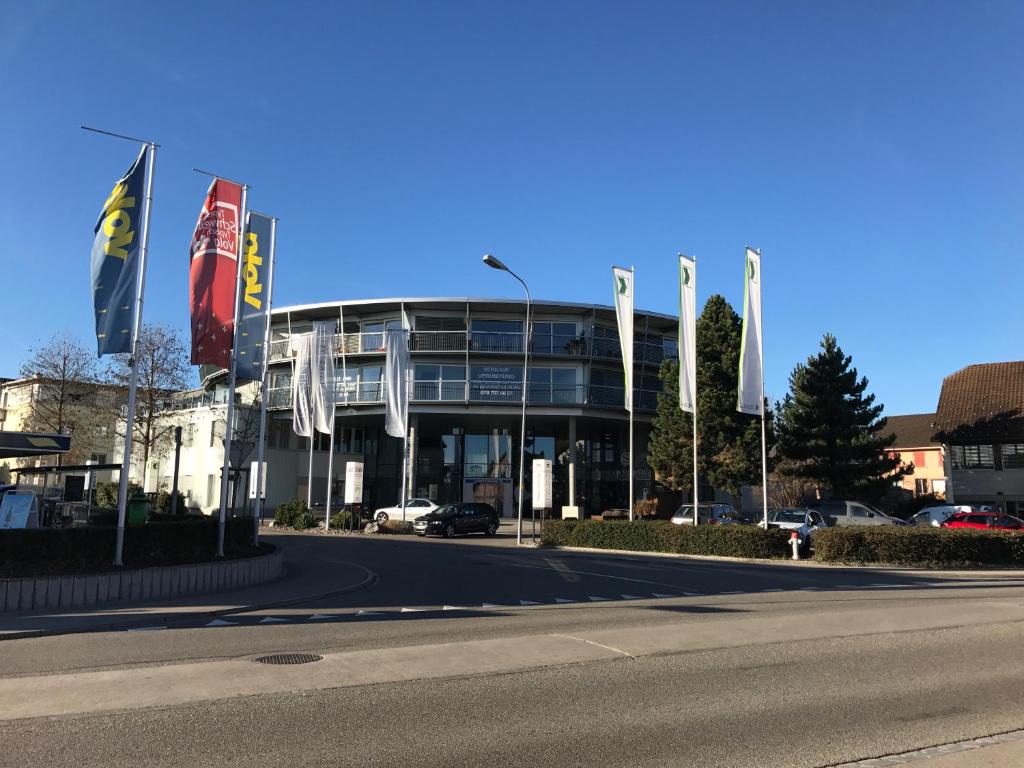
(730, 443)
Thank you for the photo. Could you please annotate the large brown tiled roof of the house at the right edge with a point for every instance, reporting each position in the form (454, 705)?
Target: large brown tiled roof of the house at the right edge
(983, 403)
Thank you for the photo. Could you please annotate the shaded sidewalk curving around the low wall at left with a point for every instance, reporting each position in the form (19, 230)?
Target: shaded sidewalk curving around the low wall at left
(308, 576)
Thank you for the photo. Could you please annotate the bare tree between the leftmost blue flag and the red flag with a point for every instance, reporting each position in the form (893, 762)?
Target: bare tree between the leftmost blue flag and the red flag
(163, 370)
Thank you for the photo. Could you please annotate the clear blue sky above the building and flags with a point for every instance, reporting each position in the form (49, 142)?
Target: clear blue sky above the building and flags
(872, 150)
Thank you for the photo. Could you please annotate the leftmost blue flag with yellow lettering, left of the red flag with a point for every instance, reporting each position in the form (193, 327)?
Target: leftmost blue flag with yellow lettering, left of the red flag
(116, 261)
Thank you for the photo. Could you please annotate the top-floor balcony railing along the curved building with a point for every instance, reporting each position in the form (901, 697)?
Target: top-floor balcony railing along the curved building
(488, 342)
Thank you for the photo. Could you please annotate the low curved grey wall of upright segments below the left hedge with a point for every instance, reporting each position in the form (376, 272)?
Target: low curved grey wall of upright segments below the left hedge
(41, 593)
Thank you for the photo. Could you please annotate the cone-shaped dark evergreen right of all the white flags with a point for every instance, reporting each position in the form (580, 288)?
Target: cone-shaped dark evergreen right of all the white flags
(832, 432)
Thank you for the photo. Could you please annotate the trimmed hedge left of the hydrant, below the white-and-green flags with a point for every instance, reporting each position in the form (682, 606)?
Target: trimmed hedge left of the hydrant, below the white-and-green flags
(661, 536)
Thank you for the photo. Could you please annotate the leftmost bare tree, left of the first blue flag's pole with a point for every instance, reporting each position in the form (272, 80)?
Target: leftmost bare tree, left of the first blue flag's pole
(65, 394)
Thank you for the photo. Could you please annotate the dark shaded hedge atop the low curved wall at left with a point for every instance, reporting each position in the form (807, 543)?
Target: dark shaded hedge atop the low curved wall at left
(49, 551)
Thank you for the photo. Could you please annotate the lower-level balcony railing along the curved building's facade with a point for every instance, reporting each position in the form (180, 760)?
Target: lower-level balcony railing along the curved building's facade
(484, 393)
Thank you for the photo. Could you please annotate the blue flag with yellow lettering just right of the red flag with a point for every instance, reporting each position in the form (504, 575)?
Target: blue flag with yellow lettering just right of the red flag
(257, 260)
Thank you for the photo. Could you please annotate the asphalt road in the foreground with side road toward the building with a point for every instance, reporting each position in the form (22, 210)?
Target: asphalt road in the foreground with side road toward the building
(549, 658)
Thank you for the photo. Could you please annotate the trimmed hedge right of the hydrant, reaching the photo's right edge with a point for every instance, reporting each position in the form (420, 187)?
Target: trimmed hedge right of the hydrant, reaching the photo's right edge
(927, 547)
